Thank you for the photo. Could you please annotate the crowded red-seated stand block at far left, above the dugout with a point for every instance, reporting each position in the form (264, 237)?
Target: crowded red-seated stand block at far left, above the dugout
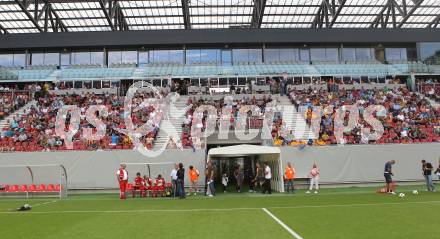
(34, 130)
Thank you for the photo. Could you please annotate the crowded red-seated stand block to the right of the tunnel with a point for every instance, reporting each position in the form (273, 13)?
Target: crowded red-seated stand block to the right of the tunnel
(407, 118)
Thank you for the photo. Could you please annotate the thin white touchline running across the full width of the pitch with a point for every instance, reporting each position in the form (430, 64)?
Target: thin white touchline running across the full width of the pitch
(222, 209)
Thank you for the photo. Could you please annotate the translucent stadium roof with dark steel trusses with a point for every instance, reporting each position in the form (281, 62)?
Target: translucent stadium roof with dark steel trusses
(34, 16)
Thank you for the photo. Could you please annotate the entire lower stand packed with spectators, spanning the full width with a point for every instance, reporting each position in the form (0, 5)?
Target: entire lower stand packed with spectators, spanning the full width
(409, 118)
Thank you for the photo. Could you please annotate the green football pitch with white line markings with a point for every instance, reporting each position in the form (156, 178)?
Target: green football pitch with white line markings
(333, 213)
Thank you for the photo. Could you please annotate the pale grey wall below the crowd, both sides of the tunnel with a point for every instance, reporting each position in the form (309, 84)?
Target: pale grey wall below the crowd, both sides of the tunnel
(358, 163)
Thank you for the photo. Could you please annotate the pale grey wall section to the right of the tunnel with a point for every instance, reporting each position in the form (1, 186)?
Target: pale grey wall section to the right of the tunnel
(362, 163)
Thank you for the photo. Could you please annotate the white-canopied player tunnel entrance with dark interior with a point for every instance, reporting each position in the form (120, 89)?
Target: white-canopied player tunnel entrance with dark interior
(227, 159)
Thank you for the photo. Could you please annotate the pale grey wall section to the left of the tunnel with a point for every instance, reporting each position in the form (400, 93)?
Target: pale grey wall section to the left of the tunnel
(92, 169)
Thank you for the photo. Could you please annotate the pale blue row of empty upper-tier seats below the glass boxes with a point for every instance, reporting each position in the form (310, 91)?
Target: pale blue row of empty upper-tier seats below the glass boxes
(125, 70)
